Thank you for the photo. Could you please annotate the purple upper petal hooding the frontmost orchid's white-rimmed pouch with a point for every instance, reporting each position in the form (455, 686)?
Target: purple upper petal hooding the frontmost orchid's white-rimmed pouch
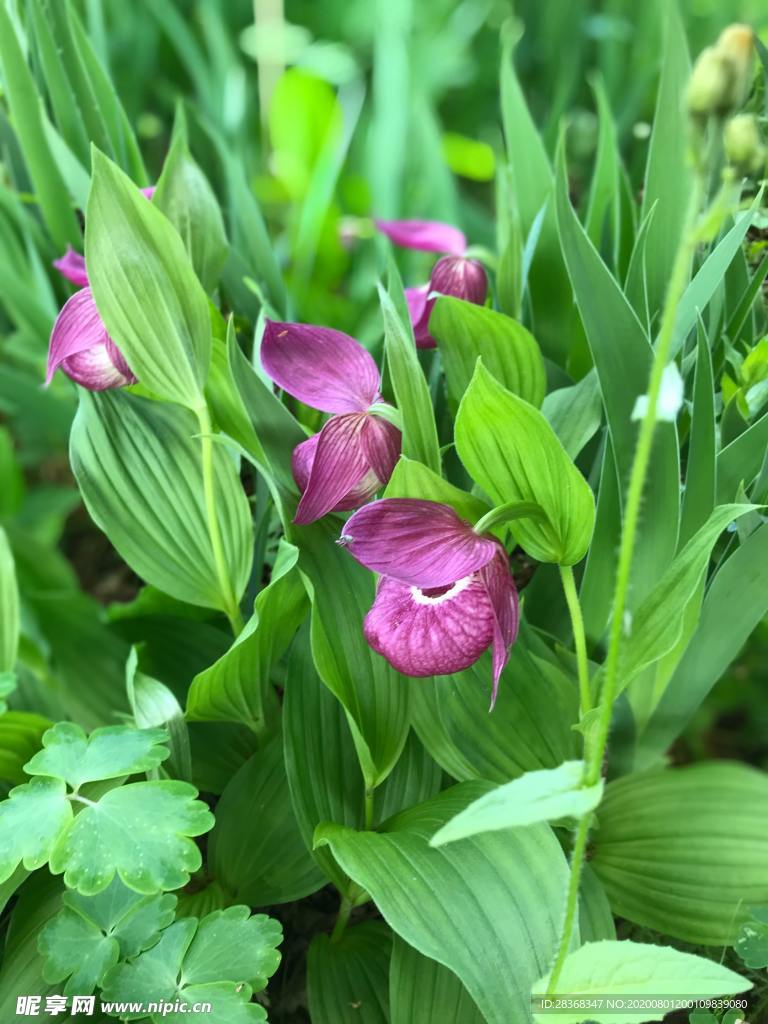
(421, 543)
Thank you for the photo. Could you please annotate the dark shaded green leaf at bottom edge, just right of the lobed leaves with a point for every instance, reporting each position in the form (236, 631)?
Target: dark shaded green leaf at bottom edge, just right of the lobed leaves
(349, 980)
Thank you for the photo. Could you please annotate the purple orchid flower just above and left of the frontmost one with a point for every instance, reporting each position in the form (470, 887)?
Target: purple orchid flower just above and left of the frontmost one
(355, 454)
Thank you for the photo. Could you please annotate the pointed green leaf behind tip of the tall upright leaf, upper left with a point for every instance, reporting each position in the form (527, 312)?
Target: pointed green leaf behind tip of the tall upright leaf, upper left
(186, 197)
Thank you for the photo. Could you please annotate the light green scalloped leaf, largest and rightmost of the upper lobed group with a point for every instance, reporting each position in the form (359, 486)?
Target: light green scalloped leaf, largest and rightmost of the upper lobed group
(142, 832)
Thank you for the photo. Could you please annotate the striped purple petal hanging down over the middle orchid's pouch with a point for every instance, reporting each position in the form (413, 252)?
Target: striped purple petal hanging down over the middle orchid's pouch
(338, 466)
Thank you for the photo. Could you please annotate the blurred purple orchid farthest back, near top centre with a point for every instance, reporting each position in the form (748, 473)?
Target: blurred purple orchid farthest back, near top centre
(455, 274)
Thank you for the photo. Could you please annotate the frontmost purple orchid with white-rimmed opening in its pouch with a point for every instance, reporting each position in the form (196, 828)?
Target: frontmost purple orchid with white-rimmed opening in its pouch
(446, 593)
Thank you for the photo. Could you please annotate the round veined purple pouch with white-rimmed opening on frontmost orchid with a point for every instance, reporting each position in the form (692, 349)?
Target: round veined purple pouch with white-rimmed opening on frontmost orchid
(431, 632)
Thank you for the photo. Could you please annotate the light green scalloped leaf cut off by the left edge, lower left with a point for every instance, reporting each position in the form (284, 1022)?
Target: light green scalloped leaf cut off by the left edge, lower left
(31, 821)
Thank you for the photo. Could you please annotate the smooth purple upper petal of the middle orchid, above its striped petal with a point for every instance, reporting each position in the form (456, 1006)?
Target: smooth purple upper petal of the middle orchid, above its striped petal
(325, 369)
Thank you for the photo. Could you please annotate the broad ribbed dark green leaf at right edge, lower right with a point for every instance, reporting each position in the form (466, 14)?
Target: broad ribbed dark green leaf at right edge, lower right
(682, 850)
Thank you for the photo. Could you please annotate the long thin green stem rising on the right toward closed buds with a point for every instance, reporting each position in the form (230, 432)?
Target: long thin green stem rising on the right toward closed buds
(596, 753)
